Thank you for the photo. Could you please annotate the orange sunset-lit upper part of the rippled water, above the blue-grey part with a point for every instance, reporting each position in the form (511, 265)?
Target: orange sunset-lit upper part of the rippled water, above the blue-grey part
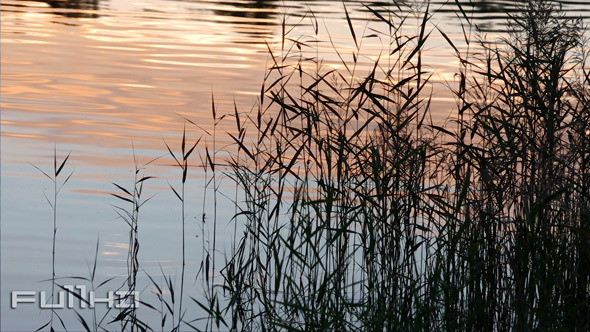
(97, 75)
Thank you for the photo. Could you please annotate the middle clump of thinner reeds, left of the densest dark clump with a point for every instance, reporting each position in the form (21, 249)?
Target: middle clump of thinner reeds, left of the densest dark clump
(335, 190)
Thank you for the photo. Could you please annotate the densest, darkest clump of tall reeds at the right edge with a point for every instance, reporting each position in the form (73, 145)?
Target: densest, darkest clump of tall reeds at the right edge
(520, 257)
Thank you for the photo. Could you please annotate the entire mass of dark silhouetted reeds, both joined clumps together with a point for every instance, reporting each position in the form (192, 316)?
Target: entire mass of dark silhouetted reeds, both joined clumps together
(356, 211)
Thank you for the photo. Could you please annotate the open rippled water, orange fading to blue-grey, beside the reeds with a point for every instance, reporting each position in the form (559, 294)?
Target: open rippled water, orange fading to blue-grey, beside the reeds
(99, 78)
